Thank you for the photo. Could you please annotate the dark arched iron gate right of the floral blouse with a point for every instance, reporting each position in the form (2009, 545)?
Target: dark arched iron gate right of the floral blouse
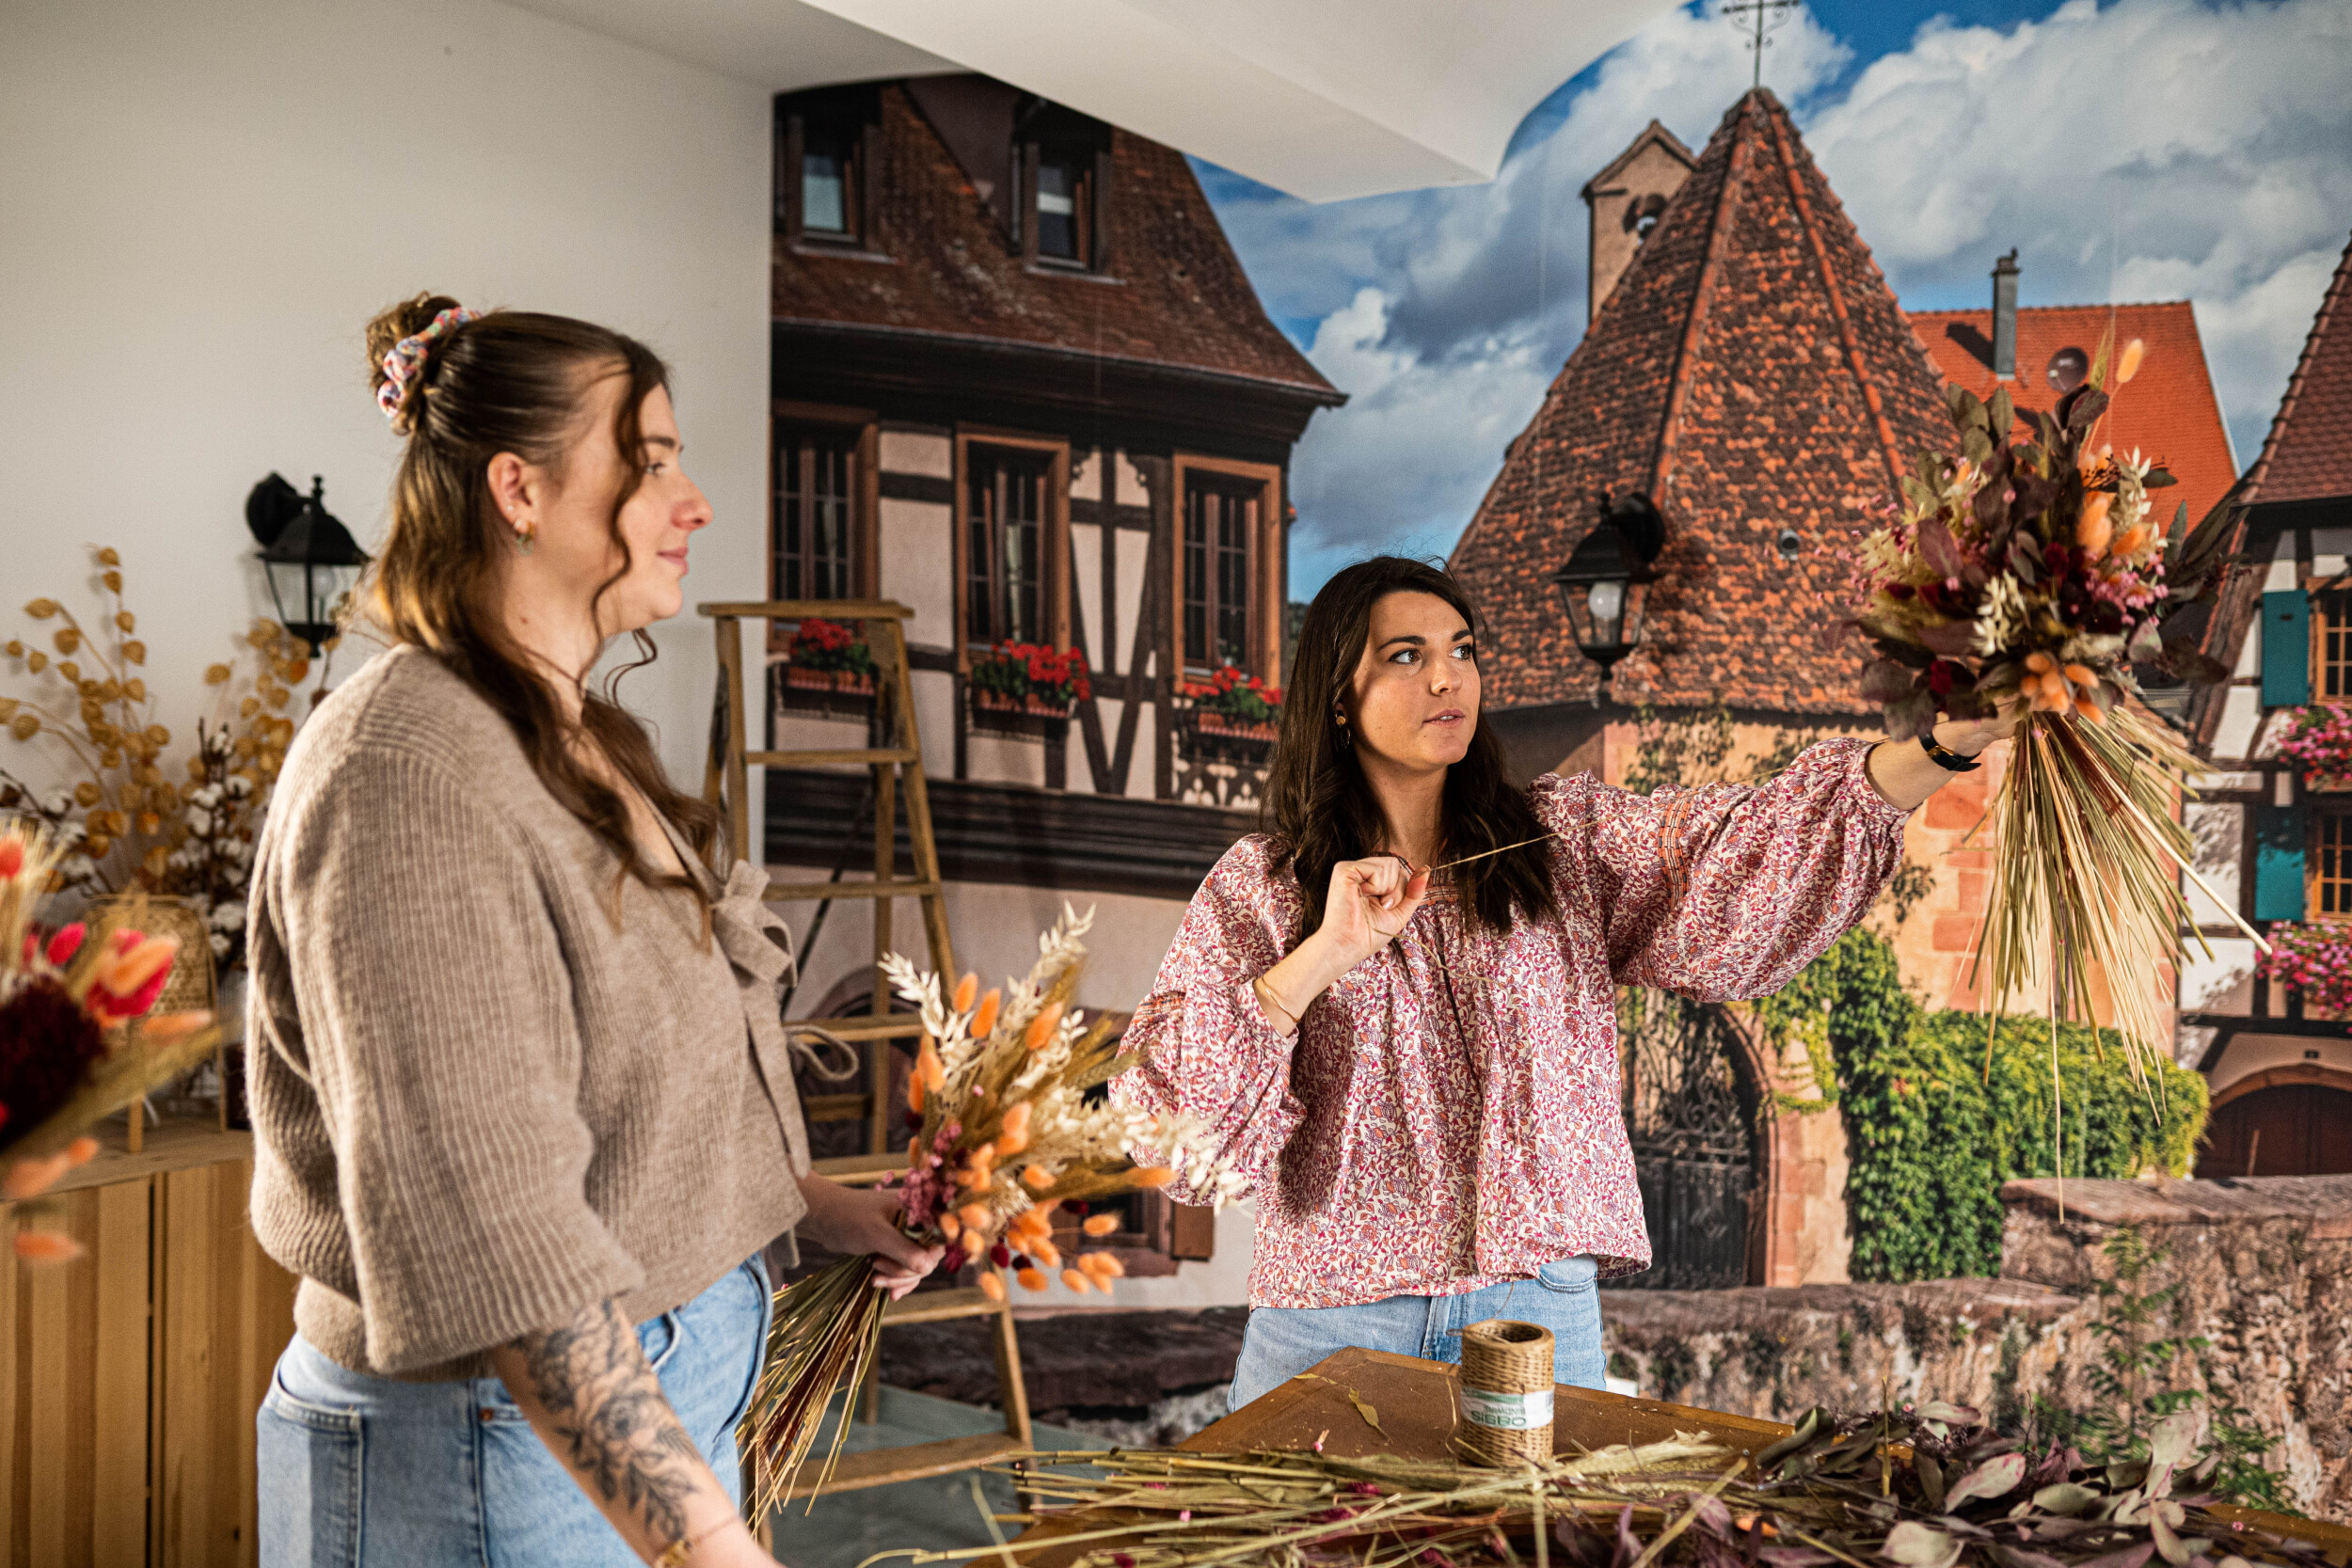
(1692, 1141)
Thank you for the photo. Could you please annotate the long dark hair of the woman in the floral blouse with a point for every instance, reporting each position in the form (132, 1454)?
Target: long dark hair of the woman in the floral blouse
(1318, 803)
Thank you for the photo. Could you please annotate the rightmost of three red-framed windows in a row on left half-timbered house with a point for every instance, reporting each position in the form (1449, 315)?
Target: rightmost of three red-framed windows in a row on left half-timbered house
(1229, 568)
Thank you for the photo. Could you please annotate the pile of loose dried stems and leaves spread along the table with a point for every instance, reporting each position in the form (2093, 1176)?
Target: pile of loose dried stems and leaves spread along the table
(1920, 1487)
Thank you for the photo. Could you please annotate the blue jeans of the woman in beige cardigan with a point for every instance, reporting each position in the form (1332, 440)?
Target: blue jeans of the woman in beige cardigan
(370, 1473)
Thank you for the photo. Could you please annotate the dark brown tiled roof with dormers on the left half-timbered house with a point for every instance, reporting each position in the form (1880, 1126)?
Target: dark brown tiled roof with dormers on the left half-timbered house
(1177, 295)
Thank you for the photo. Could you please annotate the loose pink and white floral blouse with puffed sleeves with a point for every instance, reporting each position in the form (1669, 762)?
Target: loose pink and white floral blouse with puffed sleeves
(1450, 1113)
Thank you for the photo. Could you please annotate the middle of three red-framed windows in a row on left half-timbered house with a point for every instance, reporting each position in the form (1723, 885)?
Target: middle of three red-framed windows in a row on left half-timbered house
(1013, 540)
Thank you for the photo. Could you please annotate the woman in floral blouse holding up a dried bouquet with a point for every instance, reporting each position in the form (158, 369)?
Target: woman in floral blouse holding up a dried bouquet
(1396, 1003)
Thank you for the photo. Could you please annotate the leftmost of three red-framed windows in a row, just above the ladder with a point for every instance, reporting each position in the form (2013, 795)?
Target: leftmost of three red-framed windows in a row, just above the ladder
(822, 504)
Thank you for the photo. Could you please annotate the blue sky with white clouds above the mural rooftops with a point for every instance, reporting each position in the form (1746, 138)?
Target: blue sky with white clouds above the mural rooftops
(2132, 152)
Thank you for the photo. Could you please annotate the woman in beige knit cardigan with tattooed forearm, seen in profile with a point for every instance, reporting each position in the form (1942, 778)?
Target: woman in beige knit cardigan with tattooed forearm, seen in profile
(523, 1113)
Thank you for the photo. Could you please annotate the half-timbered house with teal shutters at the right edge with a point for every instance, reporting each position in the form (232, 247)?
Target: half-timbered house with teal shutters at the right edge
(2276, 829)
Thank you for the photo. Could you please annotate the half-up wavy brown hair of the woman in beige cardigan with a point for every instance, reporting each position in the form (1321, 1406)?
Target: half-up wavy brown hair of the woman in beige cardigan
(516, 382)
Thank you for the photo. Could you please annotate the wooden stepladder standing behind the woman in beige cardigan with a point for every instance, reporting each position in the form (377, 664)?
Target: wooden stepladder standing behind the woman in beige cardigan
(895, 765)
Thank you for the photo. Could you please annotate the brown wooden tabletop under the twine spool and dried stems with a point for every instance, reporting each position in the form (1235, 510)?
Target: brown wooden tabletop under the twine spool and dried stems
(1419, 1407)
